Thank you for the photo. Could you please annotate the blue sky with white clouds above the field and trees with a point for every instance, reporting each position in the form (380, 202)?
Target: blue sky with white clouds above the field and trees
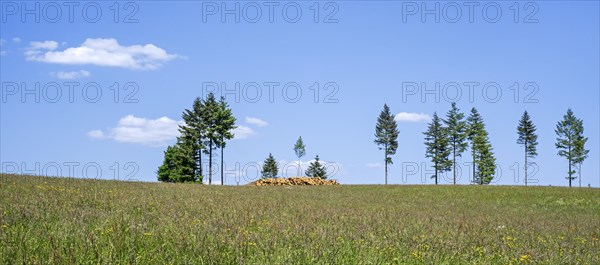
(358, 55)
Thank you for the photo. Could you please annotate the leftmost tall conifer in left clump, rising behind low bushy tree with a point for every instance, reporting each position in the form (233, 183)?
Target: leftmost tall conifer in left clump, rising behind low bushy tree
(193, 133)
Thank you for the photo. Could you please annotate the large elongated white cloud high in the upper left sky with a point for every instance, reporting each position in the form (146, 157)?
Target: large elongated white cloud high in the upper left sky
(101, 52)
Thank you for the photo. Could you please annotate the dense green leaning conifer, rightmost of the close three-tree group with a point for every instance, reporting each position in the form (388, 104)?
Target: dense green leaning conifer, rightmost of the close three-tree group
(483, 157)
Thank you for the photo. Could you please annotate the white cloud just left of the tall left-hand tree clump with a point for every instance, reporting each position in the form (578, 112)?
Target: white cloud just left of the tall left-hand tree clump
(131, 129)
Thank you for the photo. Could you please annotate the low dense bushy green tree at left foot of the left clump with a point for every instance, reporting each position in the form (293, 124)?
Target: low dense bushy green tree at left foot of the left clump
(178, 164)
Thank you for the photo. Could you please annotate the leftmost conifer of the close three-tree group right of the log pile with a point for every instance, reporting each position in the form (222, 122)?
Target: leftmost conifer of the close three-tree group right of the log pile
(436, 142)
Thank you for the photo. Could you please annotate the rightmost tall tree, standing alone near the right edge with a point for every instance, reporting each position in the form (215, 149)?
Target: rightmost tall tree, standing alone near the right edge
(570, 141)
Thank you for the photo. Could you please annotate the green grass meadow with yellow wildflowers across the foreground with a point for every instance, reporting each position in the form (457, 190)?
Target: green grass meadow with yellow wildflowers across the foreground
(69, 221)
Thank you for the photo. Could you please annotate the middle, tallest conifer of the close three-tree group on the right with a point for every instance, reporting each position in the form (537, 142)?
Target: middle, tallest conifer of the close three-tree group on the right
(457, 135)
